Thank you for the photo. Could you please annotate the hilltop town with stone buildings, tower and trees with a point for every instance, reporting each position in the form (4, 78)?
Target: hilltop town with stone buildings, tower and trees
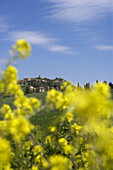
(40, 84)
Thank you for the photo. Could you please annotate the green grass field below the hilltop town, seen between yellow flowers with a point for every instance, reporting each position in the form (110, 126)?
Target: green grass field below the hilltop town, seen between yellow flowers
(43, 118)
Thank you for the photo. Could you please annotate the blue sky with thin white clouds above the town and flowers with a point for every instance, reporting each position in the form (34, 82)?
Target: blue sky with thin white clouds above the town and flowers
(72, 39)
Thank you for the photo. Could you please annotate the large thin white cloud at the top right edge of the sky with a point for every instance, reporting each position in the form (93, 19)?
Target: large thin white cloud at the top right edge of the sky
(79, 10)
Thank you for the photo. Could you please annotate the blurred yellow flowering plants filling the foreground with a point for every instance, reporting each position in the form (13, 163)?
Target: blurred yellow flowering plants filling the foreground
(77, 124)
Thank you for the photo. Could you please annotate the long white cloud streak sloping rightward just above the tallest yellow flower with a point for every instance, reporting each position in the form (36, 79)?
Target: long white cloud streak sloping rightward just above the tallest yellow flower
(37, 38)
